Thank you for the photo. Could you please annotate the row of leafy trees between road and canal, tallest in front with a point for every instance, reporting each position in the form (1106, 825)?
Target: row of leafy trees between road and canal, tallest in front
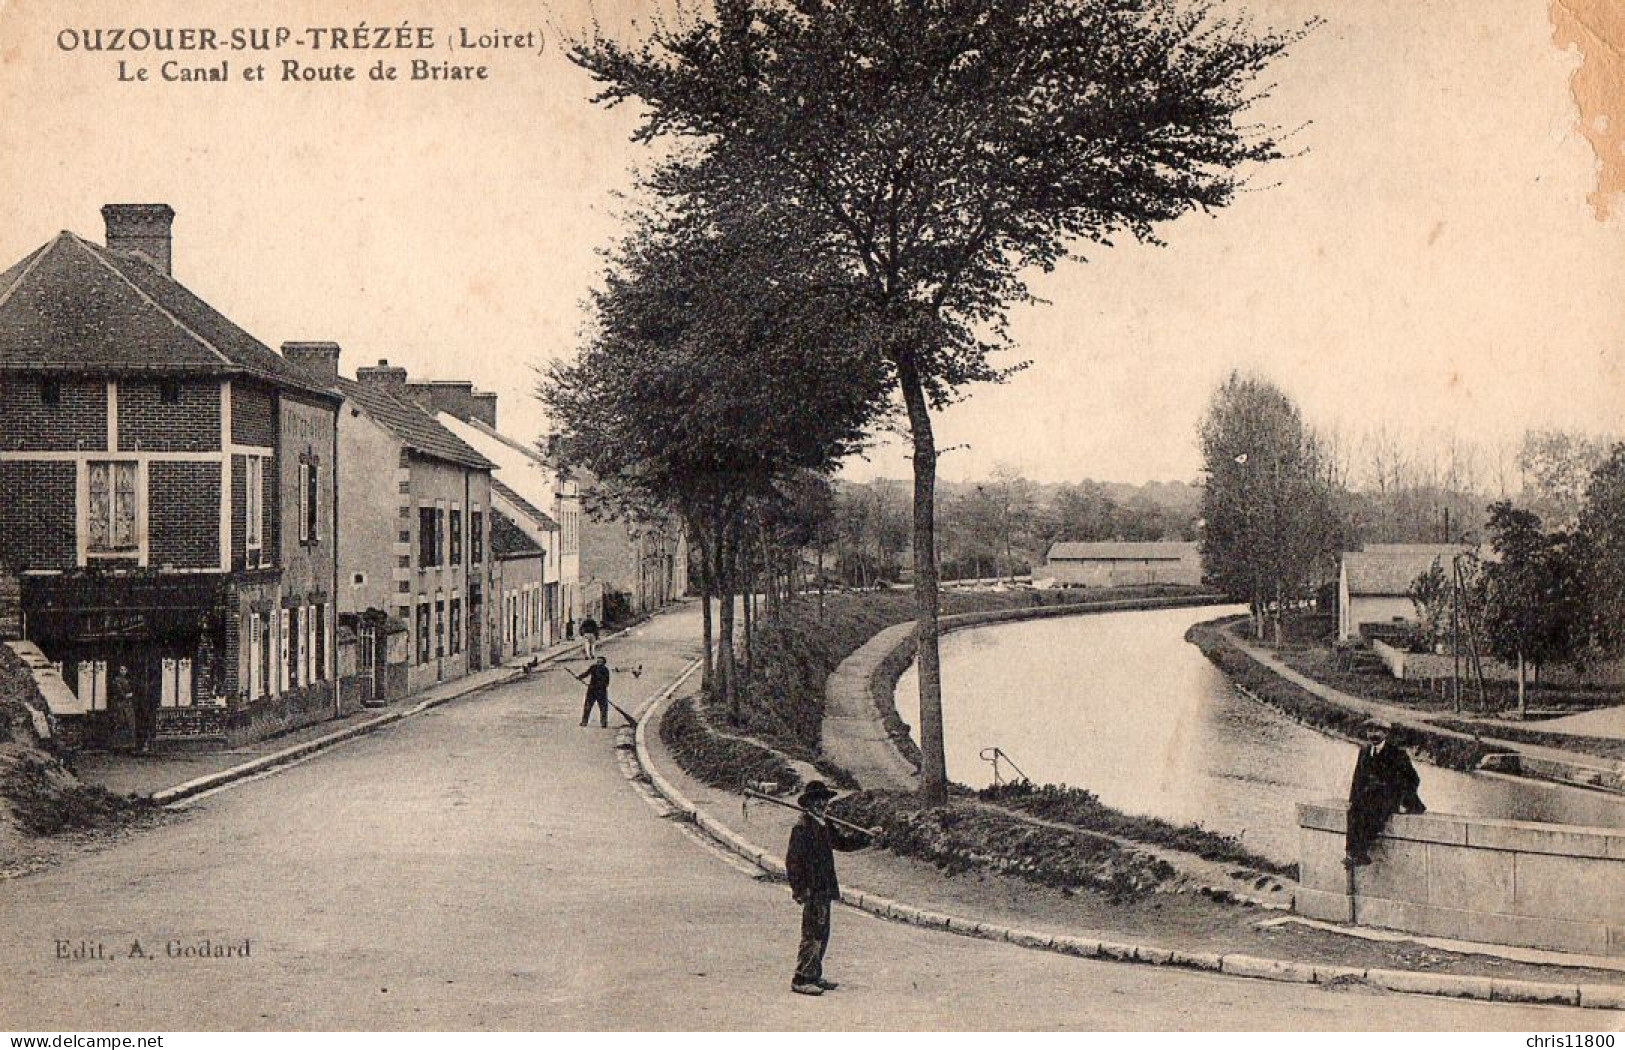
(846, 202)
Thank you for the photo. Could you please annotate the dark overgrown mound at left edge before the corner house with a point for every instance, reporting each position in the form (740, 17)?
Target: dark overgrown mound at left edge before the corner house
(40, 796)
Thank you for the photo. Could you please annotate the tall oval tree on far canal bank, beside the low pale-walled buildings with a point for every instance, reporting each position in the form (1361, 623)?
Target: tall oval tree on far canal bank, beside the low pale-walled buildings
(1268, 523)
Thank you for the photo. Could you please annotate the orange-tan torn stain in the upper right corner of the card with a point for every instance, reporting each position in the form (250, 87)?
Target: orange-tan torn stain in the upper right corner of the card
(1598, 30)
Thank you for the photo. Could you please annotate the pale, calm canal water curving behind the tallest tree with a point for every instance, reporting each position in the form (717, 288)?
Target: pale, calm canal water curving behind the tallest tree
(1124, 706)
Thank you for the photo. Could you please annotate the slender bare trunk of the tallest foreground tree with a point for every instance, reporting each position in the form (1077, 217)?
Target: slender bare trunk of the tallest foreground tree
(934, 761)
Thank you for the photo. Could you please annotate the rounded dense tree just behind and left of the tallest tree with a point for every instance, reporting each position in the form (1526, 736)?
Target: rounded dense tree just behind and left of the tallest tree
(716, 371)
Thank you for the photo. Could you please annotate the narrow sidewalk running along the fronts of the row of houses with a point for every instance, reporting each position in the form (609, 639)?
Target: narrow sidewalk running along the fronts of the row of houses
(163, 774)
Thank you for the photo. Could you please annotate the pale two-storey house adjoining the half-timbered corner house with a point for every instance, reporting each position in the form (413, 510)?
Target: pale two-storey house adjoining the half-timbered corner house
(415, 505)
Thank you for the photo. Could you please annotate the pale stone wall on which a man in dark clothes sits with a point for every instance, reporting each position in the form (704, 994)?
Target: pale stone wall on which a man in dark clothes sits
(1471, 879)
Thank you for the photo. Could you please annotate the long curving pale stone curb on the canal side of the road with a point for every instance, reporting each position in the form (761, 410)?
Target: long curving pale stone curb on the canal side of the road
(1236, 965)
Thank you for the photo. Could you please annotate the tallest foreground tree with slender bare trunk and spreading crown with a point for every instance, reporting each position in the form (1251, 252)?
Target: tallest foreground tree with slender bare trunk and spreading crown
(938, 152)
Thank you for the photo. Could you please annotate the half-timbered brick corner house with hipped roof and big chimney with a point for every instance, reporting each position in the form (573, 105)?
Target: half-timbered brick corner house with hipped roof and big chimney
(167, 495)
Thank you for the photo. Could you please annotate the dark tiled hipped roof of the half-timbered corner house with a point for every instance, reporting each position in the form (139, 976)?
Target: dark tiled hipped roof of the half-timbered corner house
(77, 306)
